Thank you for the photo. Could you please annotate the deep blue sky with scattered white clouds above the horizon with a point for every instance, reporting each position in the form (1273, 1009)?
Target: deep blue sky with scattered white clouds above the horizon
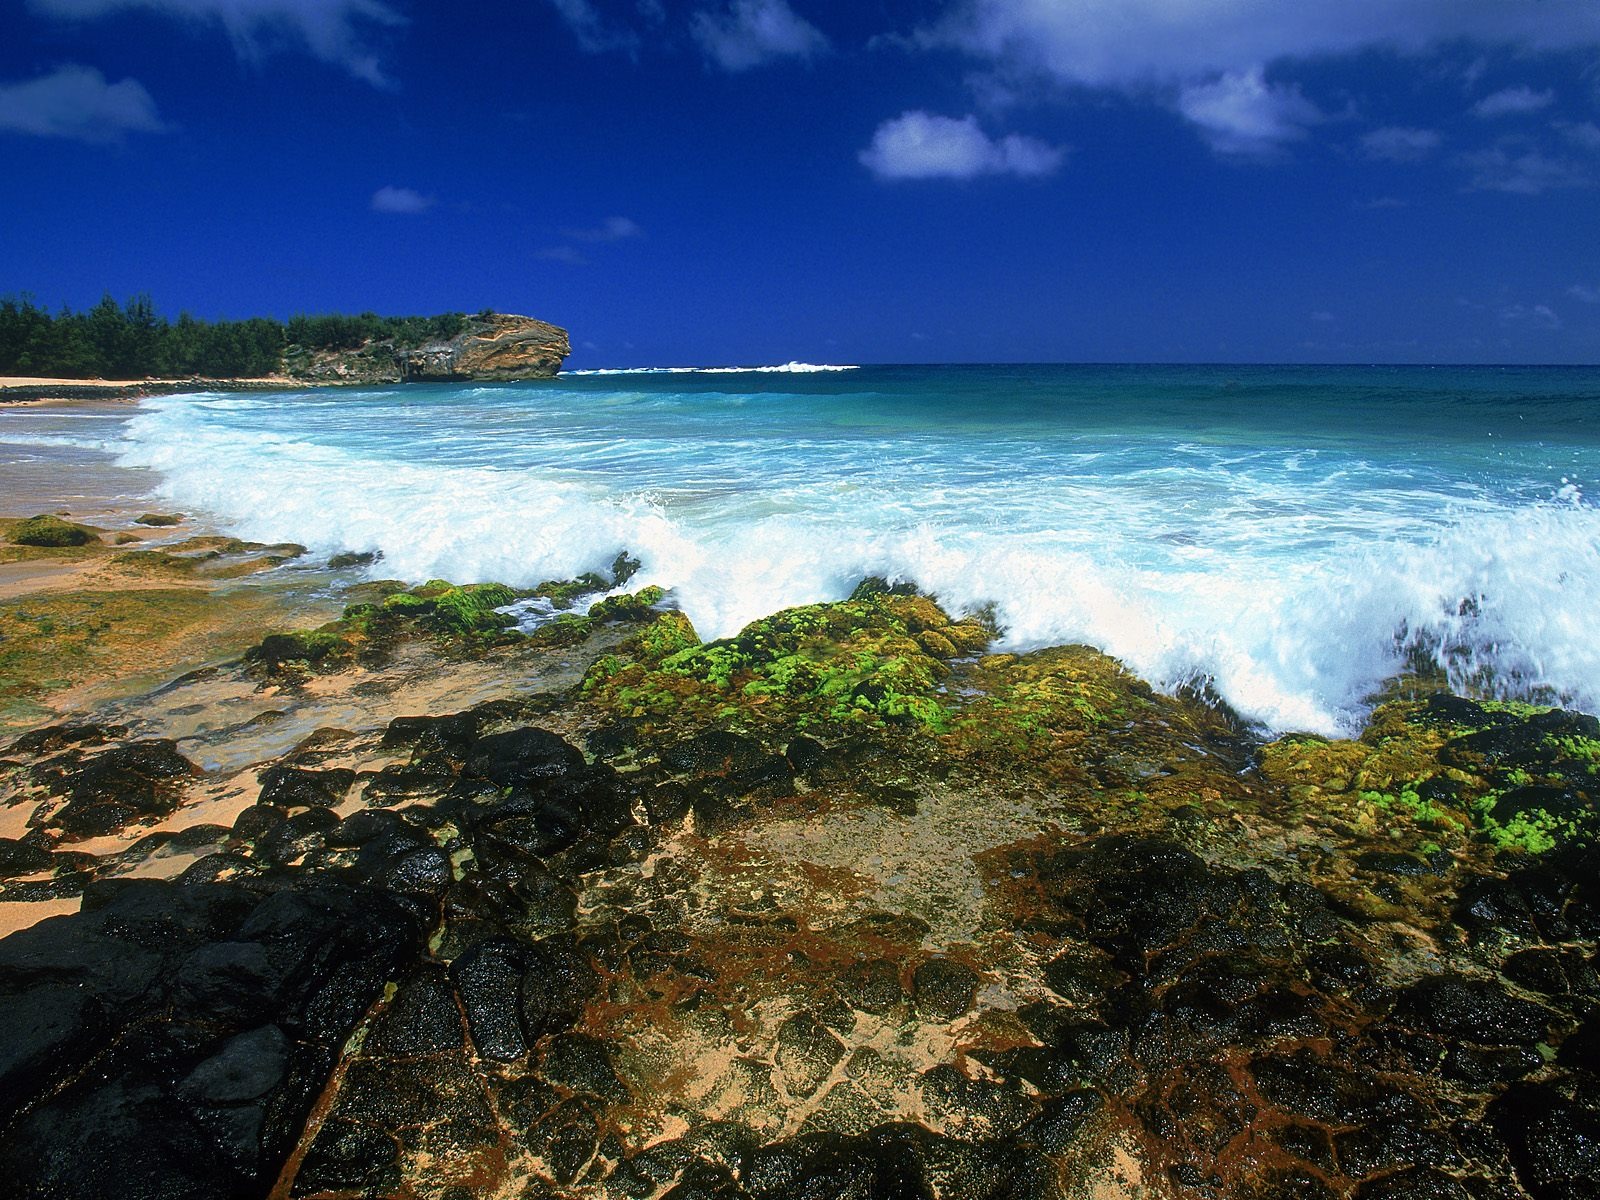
(742, 182)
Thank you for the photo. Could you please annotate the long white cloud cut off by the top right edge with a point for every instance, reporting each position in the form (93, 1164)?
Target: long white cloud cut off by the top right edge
(1129, 44)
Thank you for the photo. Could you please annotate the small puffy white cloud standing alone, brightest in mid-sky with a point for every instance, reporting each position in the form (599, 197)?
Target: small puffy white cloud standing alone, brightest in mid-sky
(927, 146)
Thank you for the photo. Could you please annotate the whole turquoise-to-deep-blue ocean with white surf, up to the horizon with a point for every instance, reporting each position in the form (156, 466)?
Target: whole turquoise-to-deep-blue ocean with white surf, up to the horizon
(1290, 537)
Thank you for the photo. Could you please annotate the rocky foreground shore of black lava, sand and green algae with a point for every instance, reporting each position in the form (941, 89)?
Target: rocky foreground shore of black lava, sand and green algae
(417, 905)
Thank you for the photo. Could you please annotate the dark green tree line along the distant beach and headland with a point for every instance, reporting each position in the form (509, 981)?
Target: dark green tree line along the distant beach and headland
(132, 342)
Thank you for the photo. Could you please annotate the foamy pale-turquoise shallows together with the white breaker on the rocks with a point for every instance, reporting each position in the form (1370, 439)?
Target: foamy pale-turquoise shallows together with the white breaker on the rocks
(1290, 582)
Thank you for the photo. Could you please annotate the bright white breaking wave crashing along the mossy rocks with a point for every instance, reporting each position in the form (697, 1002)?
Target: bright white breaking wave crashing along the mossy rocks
(1290, 607)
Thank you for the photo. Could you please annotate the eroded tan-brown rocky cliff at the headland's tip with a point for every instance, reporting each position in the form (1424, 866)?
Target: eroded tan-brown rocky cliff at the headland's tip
(492, 348)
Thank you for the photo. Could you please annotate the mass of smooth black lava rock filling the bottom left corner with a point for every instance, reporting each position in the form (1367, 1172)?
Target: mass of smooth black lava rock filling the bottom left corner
(212, 1014)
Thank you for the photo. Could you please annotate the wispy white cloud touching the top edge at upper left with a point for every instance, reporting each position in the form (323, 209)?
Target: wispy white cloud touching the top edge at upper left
(337, 31)
